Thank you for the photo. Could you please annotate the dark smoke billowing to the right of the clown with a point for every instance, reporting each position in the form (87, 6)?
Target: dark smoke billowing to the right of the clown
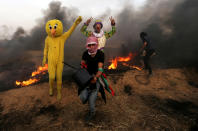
(171, 25)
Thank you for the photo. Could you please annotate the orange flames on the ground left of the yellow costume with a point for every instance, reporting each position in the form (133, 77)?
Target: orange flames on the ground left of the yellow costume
(40, 70)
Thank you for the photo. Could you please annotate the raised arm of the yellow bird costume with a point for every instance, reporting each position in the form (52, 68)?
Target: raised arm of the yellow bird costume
(72, 28)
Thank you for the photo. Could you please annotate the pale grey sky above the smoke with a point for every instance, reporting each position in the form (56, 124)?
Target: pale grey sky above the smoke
(24, 13)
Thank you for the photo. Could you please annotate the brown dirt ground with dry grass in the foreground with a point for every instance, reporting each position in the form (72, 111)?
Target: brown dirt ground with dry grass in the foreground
(167, 101)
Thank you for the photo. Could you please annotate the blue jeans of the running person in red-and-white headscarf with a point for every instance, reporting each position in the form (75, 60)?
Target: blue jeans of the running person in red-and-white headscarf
(90, 95)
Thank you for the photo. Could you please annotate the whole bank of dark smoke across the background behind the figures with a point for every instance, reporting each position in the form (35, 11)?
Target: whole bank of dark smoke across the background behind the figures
(172, 26)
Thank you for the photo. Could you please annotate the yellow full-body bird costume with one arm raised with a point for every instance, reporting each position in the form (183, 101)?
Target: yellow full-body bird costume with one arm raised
(54, 51)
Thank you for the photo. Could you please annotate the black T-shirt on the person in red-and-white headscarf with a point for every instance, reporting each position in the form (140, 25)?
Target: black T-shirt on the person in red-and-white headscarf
(92, 62)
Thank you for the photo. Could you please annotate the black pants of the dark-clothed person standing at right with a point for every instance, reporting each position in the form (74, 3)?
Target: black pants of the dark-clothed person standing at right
(147, 60)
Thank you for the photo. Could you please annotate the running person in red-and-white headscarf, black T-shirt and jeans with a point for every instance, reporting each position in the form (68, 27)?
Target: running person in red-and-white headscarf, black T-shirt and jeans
(93, 60)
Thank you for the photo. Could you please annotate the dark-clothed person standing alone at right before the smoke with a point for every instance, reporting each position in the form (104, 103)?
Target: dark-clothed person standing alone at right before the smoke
(147, 50)
